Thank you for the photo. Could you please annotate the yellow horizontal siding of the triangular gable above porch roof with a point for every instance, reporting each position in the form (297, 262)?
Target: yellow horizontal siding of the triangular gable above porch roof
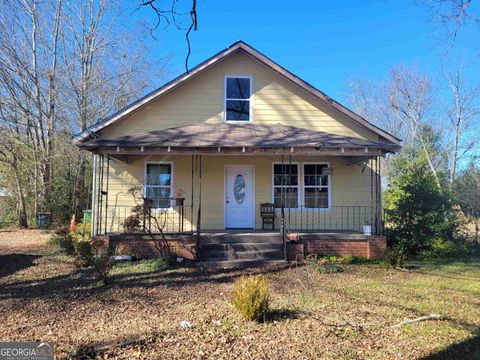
(201, 99)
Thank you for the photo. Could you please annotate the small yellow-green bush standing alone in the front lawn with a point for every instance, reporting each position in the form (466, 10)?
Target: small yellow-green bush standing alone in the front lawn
(250, 297)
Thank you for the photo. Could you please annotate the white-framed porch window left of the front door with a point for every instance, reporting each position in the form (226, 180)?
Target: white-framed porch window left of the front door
(158, 184)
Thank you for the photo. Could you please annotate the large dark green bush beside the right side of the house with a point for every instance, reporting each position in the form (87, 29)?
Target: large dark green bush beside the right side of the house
(417, 210)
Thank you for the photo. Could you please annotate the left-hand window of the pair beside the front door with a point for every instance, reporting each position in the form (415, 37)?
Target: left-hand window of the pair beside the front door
(285, 185)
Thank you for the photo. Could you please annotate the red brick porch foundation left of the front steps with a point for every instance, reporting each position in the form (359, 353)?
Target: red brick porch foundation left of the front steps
(144, 247)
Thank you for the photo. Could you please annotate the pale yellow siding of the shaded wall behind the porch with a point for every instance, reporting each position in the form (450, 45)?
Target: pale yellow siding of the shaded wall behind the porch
(350, 186)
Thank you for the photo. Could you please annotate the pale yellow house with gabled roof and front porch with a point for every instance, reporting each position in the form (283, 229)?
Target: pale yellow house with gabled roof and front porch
(211, 155)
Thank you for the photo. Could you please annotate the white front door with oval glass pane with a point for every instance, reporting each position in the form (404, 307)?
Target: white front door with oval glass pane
(239, 197)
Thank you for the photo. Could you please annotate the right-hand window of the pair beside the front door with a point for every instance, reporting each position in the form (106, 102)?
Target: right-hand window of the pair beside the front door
(316, 186)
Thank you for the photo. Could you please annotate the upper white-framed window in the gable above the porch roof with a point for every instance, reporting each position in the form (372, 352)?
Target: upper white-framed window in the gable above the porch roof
(237, 98)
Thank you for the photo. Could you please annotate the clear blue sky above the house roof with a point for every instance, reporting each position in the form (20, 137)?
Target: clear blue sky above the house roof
(325, 43)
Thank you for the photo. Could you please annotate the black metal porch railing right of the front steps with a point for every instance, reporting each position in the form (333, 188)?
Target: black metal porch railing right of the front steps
(333, 219)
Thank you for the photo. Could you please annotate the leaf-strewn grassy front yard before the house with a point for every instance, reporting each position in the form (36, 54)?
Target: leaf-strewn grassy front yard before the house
(315, 315)
